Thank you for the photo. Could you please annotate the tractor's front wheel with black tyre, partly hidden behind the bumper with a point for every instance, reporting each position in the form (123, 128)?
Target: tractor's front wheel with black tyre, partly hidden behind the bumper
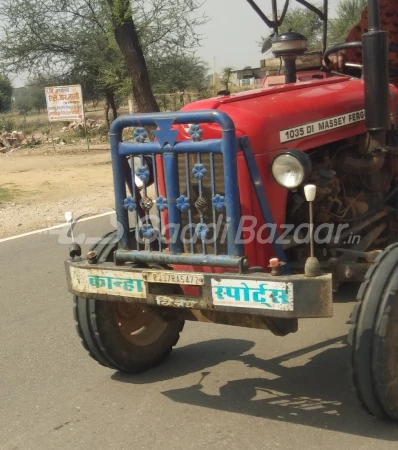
(123, 336)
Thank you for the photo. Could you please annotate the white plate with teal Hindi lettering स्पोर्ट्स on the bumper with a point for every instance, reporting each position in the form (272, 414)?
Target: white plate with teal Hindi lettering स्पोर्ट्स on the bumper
(274, 295)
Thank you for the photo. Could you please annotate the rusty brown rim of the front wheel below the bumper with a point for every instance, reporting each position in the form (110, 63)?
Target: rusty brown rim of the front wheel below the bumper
(138, 325)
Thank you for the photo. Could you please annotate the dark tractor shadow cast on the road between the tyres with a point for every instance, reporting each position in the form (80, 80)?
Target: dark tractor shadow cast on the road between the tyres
(317, 394)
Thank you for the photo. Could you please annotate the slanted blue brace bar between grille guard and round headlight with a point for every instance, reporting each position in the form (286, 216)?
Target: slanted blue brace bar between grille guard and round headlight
(261, 196)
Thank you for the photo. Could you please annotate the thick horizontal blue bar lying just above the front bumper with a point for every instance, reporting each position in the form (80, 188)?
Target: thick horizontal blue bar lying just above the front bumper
(146, 257)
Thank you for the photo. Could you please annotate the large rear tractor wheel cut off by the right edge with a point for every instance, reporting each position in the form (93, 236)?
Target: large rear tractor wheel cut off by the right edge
(374, 337)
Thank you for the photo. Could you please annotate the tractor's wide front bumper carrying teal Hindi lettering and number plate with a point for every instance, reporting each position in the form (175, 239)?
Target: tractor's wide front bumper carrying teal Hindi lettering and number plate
(286, 296)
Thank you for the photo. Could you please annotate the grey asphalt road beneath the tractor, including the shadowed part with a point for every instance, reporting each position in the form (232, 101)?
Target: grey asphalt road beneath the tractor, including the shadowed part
(222, 387)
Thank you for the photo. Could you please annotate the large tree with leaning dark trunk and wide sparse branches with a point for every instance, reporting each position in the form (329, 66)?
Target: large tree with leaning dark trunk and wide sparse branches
(103, 39)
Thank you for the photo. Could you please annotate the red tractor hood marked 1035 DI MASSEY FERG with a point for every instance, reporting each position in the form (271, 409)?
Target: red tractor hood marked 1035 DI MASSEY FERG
(302, 115)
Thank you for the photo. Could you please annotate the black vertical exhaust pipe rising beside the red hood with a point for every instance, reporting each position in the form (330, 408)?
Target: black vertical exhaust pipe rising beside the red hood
(376, 77)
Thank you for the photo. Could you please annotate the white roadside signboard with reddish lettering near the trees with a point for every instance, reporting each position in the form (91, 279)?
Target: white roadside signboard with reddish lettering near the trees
(64, 103)
